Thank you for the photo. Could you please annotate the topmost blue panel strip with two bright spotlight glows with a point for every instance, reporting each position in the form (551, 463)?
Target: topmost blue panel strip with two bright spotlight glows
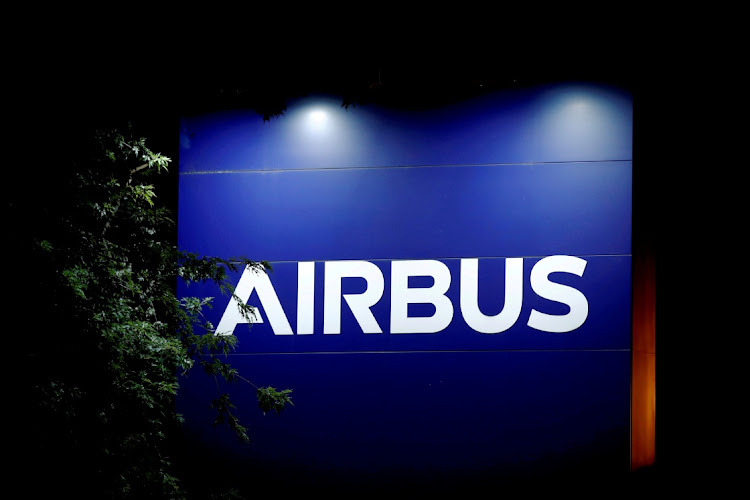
(560, 123)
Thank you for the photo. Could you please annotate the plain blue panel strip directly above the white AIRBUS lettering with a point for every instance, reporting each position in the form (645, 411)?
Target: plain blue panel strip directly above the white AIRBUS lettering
(396, 213)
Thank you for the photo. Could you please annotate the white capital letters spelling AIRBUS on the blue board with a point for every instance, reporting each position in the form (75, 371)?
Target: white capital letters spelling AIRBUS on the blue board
(402, 295)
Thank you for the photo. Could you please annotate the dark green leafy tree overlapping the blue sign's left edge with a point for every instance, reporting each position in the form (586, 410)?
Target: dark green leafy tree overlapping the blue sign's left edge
(111, 338)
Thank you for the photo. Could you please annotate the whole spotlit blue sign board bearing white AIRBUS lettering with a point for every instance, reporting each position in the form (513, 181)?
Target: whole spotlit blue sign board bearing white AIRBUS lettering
(450, 293)
